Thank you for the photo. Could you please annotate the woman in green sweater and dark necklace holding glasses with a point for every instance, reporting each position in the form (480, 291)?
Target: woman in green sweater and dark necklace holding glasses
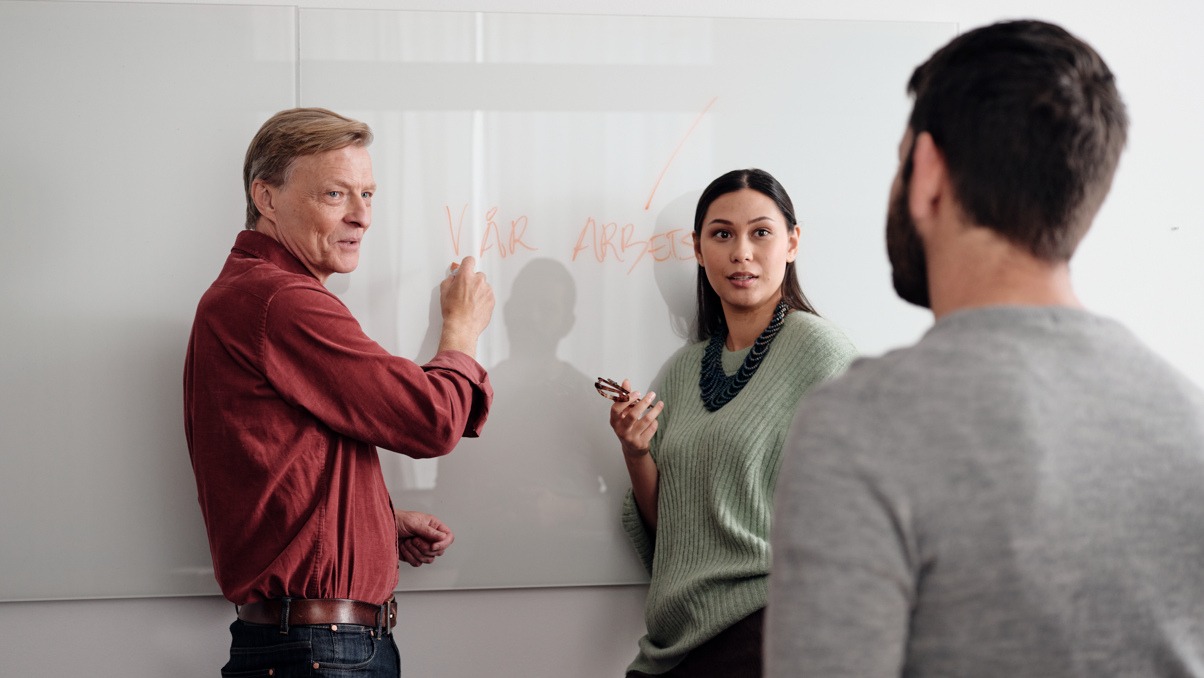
(705, 457)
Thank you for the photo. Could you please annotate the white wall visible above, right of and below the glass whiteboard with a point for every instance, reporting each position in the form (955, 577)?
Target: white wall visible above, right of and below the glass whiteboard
(1141, 266)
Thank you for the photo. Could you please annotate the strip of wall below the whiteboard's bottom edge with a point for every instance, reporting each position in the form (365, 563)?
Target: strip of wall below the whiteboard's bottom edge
(530, 633)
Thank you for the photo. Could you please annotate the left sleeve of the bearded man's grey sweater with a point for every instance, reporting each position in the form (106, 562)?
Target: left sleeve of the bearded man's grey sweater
(843, 553)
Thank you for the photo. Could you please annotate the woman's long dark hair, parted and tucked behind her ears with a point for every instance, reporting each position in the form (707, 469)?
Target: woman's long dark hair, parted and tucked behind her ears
(711, 311)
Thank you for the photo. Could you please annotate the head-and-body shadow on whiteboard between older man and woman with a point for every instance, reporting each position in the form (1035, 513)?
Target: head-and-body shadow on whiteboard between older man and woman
(536, 500)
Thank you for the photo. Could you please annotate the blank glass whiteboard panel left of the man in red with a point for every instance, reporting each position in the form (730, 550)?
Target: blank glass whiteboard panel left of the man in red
(125, 128)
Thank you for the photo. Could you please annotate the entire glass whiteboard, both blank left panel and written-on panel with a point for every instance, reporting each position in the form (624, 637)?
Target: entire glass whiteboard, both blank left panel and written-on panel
(565, 152)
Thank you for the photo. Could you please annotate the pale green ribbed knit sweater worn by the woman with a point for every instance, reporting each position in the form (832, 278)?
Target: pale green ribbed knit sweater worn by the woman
(710, 558)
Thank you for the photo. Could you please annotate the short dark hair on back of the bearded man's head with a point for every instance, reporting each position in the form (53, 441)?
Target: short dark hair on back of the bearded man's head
(1031, 127)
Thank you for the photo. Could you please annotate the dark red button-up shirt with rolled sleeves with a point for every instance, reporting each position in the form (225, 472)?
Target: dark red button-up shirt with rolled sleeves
(286, 402)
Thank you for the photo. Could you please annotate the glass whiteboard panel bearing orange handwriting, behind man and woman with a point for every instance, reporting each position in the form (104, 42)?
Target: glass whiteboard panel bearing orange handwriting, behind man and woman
(566, 154)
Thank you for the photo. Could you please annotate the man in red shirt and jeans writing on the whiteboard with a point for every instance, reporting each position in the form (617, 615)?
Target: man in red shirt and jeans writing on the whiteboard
(287, 400)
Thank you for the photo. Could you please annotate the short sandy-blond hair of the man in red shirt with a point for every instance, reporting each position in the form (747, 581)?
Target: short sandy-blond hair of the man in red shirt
(290, 135)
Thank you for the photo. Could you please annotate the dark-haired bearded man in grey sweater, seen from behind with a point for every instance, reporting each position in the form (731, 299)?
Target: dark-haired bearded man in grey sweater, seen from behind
(1022, 494)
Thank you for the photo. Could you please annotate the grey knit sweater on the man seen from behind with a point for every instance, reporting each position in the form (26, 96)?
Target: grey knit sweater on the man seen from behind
(1022, 494)
